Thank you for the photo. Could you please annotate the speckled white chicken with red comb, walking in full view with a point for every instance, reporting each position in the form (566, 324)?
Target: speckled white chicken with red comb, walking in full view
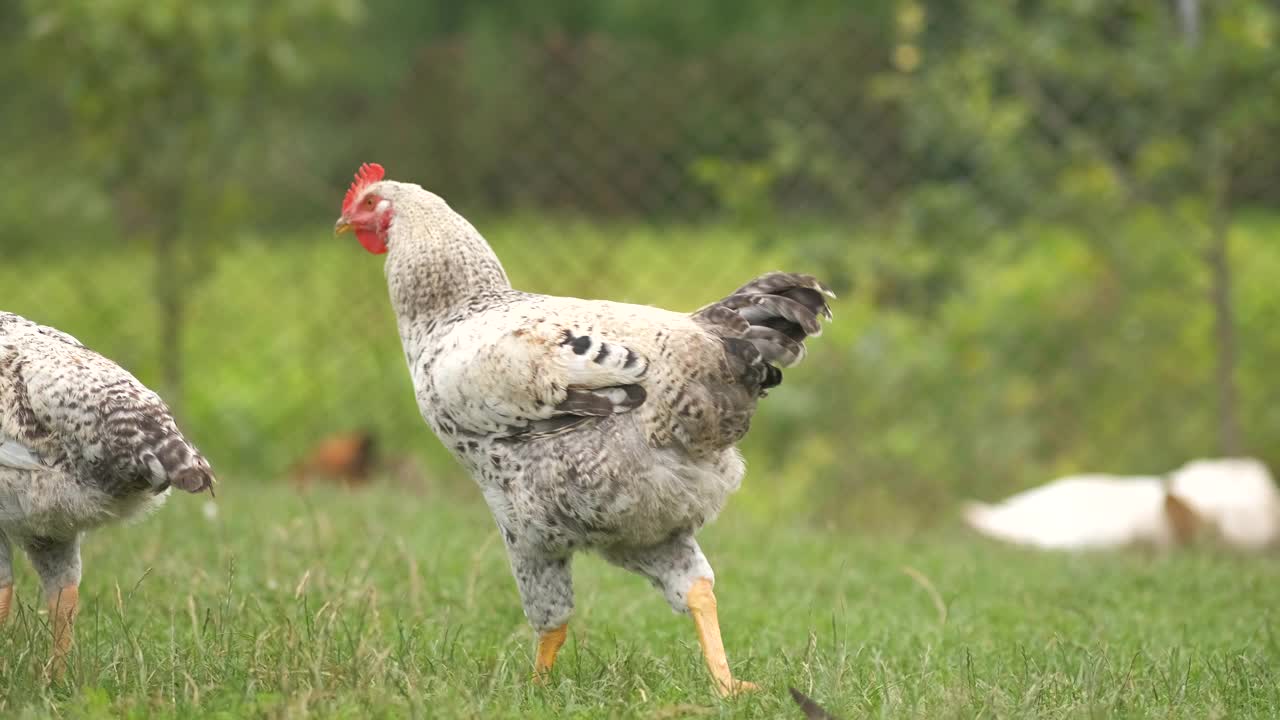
(588, 425)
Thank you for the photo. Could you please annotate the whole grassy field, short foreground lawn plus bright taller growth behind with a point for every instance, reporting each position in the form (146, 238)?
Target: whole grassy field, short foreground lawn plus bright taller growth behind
(390, 605)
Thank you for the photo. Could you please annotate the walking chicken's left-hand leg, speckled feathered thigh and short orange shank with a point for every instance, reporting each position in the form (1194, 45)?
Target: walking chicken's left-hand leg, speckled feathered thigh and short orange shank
(547, 593)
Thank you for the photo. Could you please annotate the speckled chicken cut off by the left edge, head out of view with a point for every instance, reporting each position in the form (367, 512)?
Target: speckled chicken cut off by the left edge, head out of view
(83, 443)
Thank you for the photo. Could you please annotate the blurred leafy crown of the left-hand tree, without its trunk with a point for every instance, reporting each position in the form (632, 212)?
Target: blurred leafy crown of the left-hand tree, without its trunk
(171, 110)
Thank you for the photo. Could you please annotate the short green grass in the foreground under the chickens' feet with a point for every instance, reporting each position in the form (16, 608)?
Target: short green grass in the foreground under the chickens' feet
(390, 604)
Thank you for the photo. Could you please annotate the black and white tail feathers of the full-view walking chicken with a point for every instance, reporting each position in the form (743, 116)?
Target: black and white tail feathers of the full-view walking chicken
(766, 322)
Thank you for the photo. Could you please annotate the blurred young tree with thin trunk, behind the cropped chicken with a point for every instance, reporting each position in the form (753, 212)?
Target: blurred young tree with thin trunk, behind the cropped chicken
(166, 102)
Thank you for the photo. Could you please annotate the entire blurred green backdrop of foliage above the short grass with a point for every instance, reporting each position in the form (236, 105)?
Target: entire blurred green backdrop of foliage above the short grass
(1020, 204)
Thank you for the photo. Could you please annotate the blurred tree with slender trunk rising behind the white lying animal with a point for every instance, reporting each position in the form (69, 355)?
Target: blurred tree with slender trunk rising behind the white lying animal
(1085, 113)
